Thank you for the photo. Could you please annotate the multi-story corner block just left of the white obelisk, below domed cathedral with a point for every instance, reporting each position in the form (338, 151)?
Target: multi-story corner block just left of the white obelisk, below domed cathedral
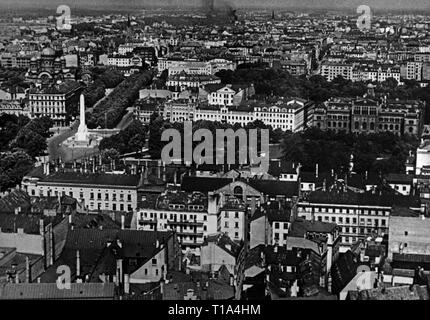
(56, 102)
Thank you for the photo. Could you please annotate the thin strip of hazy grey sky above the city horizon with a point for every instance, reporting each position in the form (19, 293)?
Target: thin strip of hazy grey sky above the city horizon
(379, 4)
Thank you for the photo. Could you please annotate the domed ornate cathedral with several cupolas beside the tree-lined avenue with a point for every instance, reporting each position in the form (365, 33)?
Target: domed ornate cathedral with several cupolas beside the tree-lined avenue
(49, 68)
